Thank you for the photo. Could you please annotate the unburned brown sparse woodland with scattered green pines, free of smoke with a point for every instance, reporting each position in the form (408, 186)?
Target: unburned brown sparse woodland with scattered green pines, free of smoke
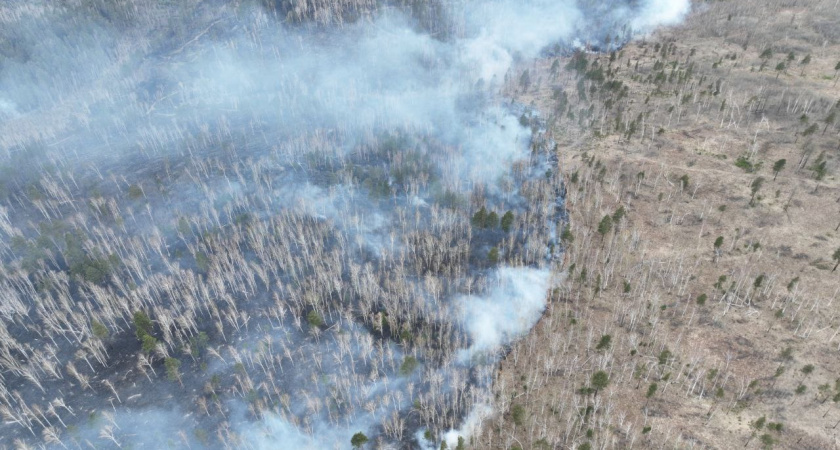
(701, 167)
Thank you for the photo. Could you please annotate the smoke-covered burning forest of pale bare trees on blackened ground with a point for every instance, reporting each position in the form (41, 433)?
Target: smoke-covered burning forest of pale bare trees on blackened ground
(250, 223)
